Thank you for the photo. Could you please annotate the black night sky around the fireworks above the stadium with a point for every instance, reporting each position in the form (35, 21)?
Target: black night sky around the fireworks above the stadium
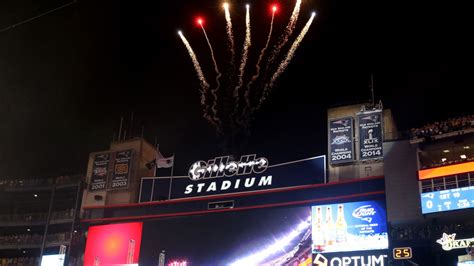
(68, 77)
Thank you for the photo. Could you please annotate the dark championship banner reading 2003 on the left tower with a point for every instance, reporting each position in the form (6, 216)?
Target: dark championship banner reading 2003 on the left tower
(121, 172)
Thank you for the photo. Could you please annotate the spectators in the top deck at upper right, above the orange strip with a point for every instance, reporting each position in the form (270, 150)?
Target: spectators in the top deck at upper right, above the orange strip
(443, 127)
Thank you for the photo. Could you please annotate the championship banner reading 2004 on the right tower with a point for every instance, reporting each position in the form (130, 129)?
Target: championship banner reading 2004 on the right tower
(340, 140)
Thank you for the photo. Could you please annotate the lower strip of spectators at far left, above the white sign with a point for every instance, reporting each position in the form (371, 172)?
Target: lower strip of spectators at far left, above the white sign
(33, 239)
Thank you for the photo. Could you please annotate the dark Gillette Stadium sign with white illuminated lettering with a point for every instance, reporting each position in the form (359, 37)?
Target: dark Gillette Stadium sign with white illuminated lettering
(221, 175)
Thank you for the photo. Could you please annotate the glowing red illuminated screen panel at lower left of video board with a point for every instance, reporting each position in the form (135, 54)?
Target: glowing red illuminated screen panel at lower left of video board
(113, 244)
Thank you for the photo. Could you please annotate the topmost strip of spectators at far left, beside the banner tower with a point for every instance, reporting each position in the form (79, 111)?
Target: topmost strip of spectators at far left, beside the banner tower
(32, 182)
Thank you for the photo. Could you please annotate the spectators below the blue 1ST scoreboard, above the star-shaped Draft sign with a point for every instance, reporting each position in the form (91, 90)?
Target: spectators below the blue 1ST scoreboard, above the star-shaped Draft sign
(426, 232)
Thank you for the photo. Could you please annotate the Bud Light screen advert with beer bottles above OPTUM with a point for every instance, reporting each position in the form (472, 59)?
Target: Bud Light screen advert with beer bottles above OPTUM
(350, 226)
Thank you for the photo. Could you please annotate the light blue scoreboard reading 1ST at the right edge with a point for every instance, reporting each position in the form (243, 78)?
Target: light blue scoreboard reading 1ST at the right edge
(447, 200)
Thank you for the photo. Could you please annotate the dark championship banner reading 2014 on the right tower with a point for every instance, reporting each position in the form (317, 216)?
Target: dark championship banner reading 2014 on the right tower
(370, 135)
